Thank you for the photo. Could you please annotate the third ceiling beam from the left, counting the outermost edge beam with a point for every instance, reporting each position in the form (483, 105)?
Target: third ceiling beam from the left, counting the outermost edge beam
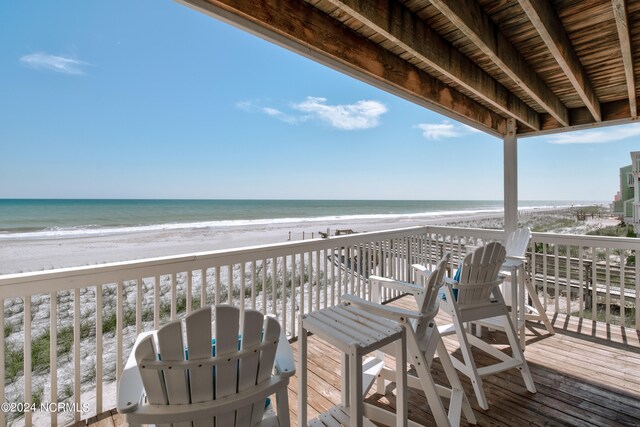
(469, 17)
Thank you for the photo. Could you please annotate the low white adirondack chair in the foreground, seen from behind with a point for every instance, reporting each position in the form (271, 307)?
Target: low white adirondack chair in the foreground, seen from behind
(200, 382)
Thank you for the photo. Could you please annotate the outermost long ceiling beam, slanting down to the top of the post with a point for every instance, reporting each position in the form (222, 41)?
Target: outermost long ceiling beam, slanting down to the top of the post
(304, 29)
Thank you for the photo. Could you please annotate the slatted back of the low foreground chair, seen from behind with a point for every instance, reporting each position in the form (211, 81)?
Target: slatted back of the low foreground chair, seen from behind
(241, 358)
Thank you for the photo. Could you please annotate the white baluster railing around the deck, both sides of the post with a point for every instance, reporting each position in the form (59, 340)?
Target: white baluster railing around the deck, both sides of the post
(93, 314)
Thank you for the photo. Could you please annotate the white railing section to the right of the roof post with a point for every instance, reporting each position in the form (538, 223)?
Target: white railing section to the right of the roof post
(603, 273)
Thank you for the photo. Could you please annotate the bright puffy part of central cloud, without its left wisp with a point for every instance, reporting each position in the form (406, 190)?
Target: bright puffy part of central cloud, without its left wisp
(360, 115)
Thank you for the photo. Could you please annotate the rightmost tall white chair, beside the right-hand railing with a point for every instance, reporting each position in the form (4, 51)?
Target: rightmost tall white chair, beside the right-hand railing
(514, 266)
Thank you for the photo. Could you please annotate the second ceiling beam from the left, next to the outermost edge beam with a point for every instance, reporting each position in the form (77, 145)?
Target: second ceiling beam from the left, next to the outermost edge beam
(405, 29)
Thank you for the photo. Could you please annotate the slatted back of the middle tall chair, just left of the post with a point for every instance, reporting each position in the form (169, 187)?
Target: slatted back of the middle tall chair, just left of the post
(479, 273)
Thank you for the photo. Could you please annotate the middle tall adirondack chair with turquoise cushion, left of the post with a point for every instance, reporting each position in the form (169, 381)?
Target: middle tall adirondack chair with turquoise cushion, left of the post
(477, 296)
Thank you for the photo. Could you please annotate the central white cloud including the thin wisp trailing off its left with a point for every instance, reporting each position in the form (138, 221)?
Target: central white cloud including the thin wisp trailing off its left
(360, 115)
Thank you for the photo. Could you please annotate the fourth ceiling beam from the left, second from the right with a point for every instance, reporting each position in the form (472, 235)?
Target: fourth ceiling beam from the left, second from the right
(551, 30)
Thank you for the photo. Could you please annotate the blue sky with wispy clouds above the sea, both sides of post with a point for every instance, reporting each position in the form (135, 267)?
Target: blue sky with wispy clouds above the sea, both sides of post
(142, 99)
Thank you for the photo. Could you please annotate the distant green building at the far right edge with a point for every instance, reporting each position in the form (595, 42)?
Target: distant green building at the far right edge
(626, 203)
